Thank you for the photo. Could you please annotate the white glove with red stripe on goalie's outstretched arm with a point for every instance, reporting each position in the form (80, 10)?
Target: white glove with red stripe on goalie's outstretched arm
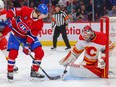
(70, 58)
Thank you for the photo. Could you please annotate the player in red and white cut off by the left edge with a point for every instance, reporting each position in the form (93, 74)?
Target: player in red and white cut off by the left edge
(4, 27)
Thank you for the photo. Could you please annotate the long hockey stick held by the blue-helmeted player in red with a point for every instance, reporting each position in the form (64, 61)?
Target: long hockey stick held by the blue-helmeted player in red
(50, 77)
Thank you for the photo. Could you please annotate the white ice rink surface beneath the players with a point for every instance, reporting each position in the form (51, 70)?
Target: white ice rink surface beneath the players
(50, 64)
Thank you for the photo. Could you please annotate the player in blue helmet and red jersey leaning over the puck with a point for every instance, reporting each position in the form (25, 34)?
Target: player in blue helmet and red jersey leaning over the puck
(26, 25)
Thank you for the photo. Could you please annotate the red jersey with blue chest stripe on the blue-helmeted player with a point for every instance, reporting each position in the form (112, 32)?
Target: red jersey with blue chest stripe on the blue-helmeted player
(24, 25)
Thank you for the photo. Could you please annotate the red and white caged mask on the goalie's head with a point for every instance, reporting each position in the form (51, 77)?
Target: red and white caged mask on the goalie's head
(87, 33)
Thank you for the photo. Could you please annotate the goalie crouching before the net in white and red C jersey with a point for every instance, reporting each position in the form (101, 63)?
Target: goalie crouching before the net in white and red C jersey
(92, 43)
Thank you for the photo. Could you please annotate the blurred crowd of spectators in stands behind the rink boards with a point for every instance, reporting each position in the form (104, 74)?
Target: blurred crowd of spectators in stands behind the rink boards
(77, 10)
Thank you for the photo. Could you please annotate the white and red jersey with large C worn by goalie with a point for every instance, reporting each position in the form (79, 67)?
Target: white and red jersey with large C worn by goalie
(91, 48)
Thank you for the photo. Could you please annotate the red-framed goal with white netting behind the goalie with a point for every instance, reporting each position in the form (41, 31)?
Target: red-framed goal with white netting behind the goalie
(108, 26)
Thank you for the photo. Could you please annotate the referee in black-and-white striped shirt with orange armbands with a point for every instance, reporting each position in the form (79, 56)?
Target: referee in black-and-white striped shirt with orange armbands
(60, 23)
